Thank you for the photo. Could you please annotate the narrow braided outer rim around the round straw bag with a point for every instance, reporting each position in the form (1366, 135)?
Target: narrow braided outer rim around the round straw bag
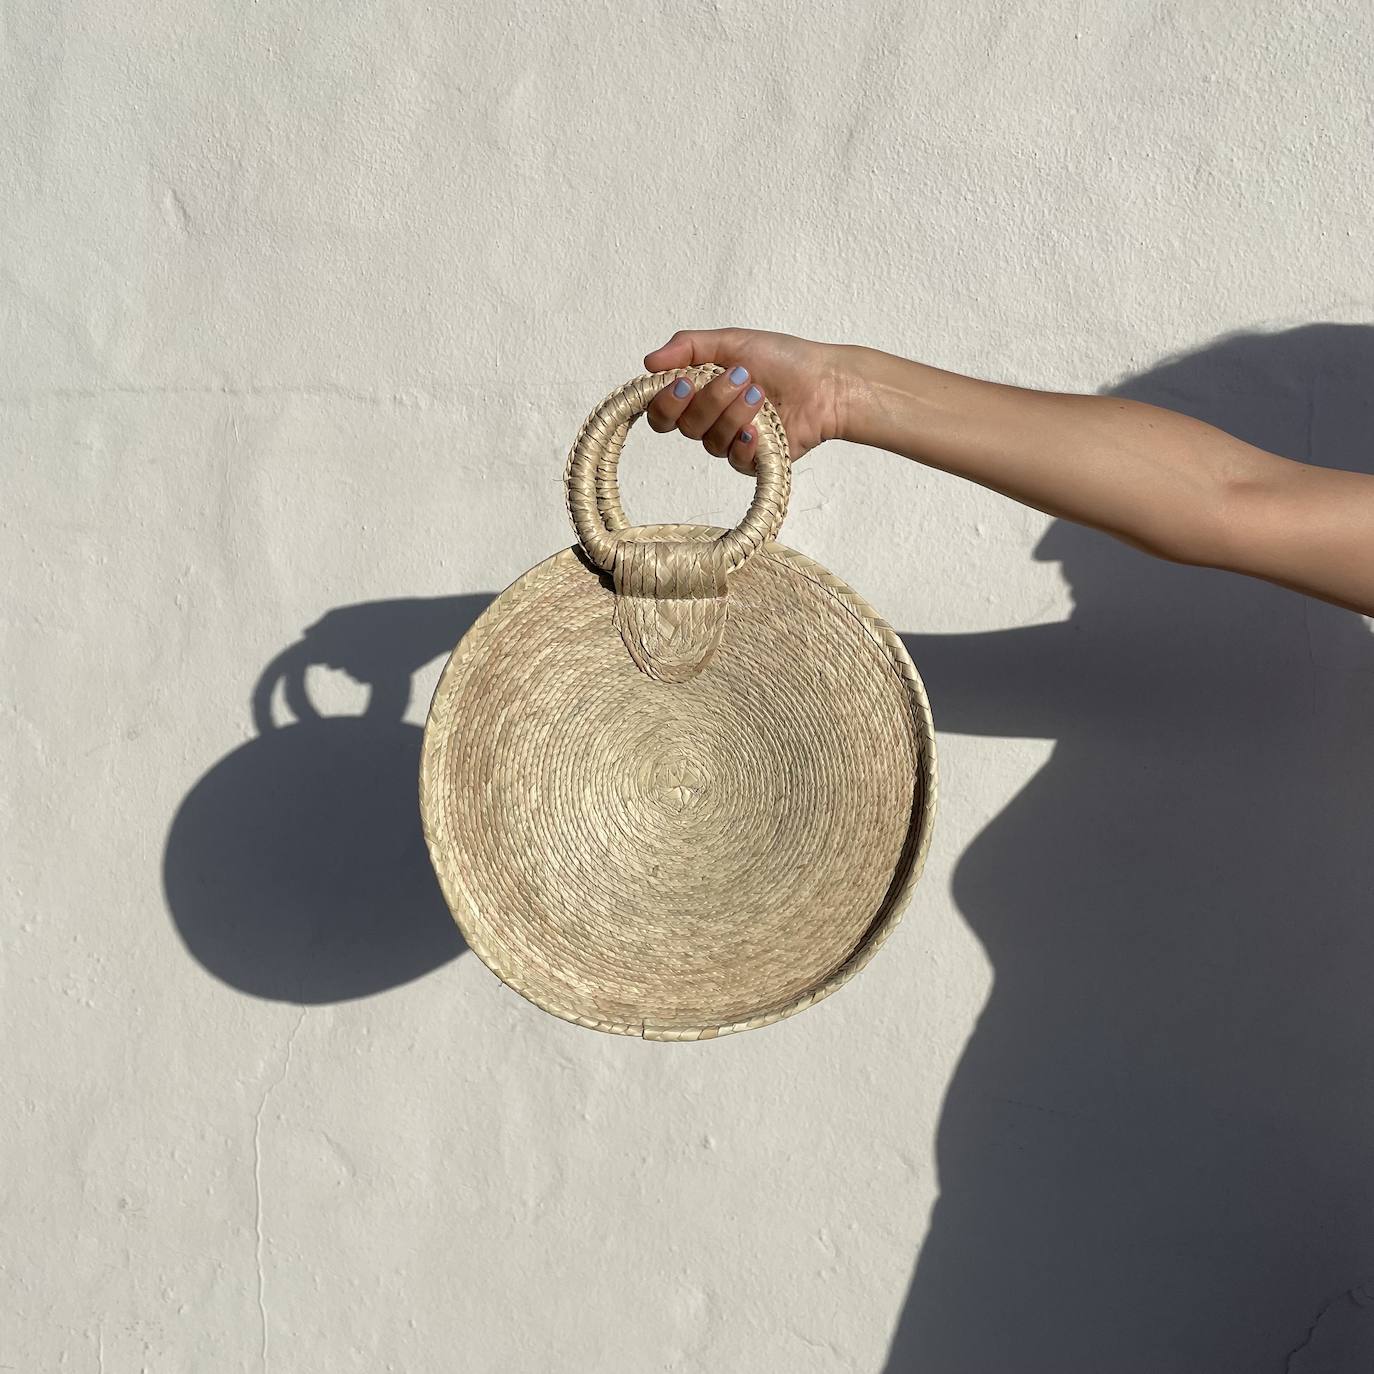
(910, 866)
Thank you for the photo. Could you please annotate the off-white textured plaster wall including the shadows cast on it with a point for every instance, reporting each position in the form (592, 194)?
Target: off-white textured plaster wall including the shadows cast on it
(300, 310)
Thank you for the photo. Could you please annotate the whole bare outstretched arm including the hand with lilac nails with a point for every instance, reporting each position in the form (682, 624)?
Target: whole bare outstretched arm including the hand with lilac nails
(1166, 483)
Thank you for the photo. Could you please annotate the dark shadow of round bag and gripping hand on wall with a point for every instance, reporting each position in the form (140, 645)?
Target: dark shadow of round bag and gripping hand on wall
(296, 869)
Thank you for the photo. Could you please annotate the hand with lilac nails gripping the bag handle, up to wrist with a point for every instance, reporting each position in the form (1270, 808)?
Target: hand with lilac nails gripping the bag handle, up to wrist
(802, 379)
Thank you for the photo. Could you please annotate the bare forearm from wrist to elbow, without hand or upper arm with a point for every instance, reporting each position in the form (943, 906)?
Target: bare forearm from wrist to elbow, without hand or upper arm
(1152, 477)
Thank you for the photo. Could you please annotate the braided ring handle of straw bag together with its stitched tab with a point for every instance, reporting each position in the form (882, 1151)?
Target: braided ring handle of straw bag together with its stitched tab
(670, 594)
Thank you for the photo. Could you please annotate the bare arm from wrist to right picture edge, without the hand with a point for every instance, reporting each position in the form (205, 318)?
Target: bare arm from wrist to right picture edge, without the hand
(1166, 483)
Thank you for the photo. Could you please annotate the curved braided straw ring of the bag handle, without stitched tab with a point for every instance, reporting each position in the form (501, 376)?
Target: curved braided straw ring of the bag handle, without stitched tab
(593, 465)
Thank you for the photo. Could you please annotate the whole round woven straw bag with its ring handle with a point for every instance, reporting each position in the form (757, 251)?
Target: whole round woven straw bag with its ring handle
(677, 781)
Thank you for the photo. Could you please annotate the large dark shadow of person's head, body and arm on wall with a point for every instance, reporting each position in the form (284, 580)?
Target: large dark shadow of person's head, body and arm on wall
(1158, 1149)
